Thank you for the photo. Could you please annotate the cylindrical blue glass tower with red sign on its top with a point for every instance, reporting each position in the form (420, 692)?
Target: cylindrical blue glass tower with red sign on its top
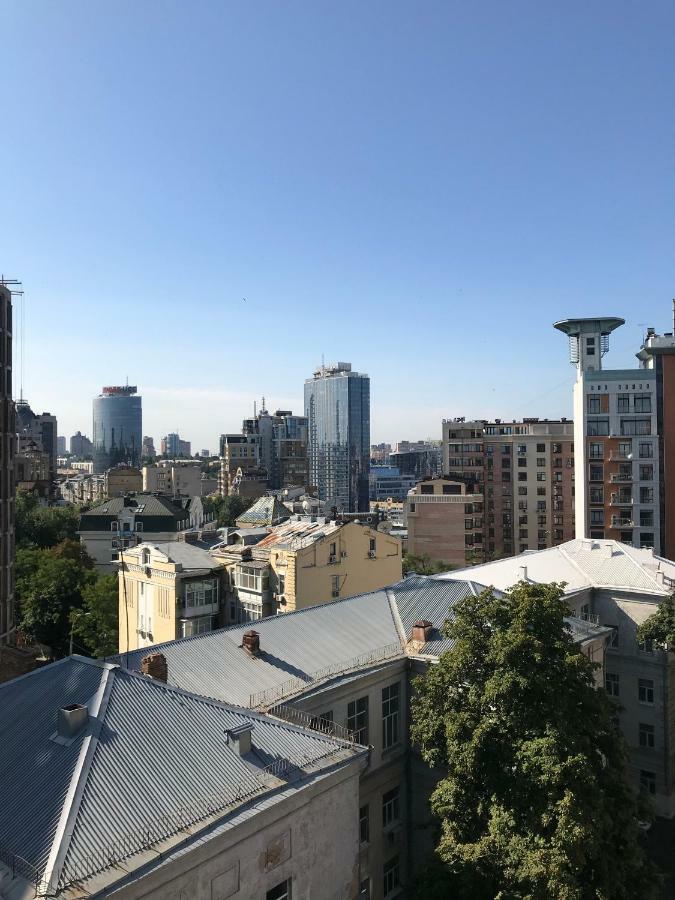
(117, 427)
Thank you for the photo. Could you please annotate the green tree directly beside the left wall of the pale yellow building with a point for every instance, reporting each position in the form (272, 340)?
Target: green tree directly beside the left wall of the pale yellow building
(95, 623)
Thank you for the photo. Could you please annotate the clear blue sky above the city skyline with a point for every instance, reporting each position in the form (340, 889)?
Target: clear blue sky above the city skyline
(420, 188)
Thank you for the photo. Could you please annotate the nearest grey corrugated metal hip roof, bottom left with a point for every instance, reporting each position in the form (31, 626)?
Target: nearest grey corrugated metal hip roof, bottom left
(126, 782)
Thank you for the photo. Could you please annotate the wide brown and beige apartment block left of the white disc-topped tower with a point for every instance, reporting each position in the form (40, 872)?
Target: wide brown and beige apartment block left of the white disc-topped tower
(525, 471)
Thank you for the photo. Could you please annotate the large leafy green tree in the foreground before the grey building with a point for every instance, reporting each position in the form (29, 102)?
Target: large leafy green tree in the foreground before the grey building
(534, 802)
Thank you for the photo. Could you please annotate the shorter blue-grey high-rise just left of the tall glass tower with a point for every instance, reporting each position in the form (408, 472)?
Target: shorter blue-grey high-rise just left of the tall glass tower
(283, 446)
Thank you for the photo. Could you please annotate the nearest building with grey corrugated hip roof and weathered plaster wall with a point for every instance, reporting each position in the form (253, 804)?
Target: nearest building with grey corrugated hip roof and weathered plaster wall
(167, 794)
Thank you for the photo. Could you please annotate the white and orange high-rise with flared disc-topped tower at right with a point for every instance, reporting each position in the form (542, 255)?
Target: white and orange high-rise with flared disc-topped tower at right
(625, 437)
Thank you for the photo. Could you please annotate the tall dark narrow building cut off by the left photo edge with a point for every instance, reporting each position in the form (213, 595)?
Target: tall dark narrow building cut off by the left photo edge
(7, 442)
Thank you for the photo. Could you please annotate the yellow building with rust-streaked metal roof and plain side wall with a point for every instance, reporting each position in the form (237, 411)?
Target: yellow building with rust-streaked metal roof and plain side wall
(305, 561)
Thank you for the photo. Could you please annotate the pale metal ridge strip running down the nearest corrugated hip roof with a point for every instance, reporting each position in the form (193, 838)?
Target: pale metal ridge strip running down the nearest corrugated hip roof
(71, 805)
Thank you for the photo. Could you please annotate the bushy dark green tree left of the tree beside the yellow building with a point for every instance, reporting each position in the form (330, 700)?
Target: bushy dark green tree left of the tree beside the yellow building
(48, 586)
